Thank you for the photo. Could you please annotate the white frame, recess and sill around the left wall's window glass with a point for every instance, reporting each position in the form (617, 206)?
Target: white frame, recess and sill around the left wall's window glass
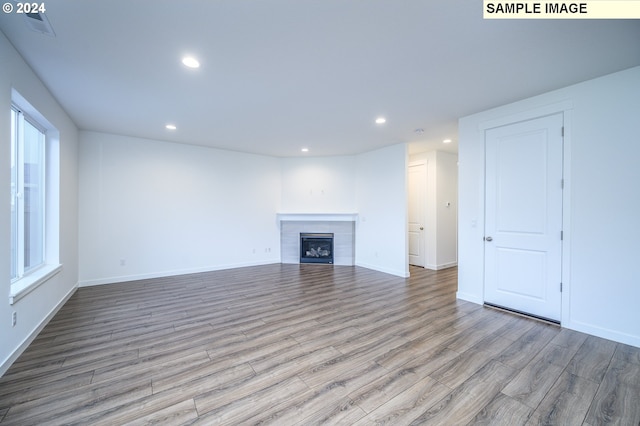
(28, 280)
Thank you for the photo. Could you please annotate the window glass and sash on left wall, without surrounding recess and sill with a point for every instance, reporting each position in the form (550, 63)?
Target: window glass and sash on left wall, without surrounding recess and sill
(27, 194)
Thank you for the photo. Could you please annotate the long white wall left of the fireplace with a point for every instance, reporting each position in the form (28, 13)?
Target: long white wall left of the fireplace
(151, 208)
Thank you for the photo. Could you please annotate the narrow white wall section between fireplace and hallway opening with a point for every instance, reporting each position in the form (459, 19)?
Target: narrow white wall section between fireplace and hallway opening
(381, 202)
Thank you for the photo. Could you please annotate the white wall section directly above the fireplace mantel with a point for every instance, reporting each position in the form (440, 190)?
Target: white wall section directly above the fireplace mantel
(318, 185)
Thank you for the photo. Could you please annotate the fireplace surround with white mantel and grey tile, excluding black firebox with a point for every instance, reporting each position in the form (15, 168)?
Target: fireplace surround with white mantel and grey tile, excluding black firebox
(342, 225)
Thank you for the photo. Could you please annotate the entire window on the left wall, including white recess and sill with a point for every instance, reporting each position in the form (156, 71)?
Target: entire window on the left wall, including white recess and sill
(35, 206)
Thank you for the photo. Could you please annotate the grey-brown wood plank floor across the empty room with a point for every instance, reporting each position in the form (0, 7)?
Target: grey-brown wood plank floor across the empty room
(311, 344)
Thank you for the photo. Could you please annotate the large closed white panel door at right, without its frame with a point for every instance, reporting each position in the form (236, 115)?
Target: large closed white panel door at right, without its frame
(523, 217)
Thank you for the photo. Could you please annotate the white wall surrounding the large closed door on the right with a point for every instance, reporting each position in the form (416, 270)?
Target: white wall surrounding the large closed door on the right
(601, 201)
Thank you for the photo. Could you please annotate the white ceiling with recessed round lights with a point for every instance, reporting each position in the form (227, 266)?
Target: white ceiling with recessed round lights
(280, 75)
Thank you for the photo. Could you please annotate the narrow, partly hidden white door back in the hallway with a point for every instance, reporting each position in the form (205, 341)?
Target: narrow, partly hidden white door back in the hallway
(417, 183)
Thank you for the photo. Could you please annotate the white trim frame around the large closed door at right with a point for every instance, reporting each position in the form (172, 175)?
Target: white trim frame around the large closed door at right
(565, 108)
